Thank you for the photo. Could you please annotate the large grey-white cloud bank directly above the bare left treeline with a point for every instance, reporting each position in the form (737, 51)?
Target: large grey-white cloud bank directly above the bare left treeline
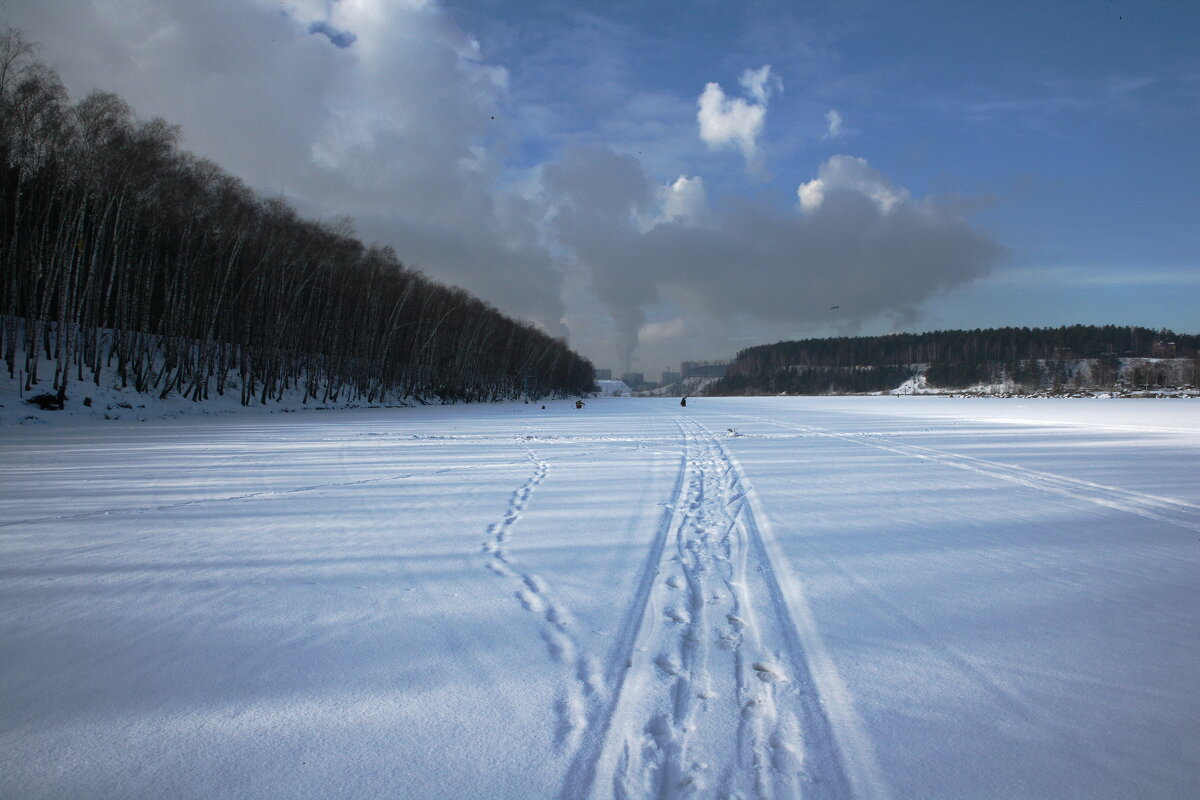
(382, 111)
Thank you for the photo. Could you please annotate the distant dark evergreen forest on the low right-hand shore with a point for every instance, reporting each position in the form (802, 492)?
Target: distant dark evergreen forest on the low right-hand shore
(1030, 357)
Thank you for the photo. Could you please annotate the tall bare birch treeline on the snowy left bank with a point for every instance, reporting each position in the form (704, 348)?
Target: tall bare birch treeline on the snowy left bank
(124, 255)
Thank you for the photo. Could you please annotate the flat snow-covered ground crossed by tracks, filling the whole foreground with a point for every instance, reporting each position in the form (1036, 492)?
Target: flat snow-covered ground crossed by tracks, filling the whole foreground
(758, 598)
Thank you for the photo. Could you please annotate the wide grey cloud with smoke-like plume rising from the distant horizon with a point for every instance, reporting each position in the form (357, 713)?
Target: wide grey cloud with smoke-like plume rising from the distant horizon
(861, 243)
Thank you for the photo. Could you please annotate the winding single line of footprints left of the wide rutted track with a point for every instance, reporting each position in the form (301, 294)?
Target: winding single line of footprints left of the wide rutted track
(584, 679)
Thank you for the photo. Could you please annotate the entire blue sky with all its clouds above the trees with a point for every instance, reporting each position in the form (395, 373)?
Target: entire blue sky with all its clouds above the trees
(662, 182)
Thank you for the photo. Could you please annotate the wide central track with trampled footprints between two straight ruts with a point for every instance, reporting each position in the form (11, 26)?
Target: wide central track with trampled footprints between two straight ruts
(713, 694)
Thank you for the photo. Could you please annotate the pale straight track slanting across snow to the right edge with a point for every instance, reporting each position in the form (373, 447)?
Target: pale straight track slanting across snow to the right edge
(1172, 512)
